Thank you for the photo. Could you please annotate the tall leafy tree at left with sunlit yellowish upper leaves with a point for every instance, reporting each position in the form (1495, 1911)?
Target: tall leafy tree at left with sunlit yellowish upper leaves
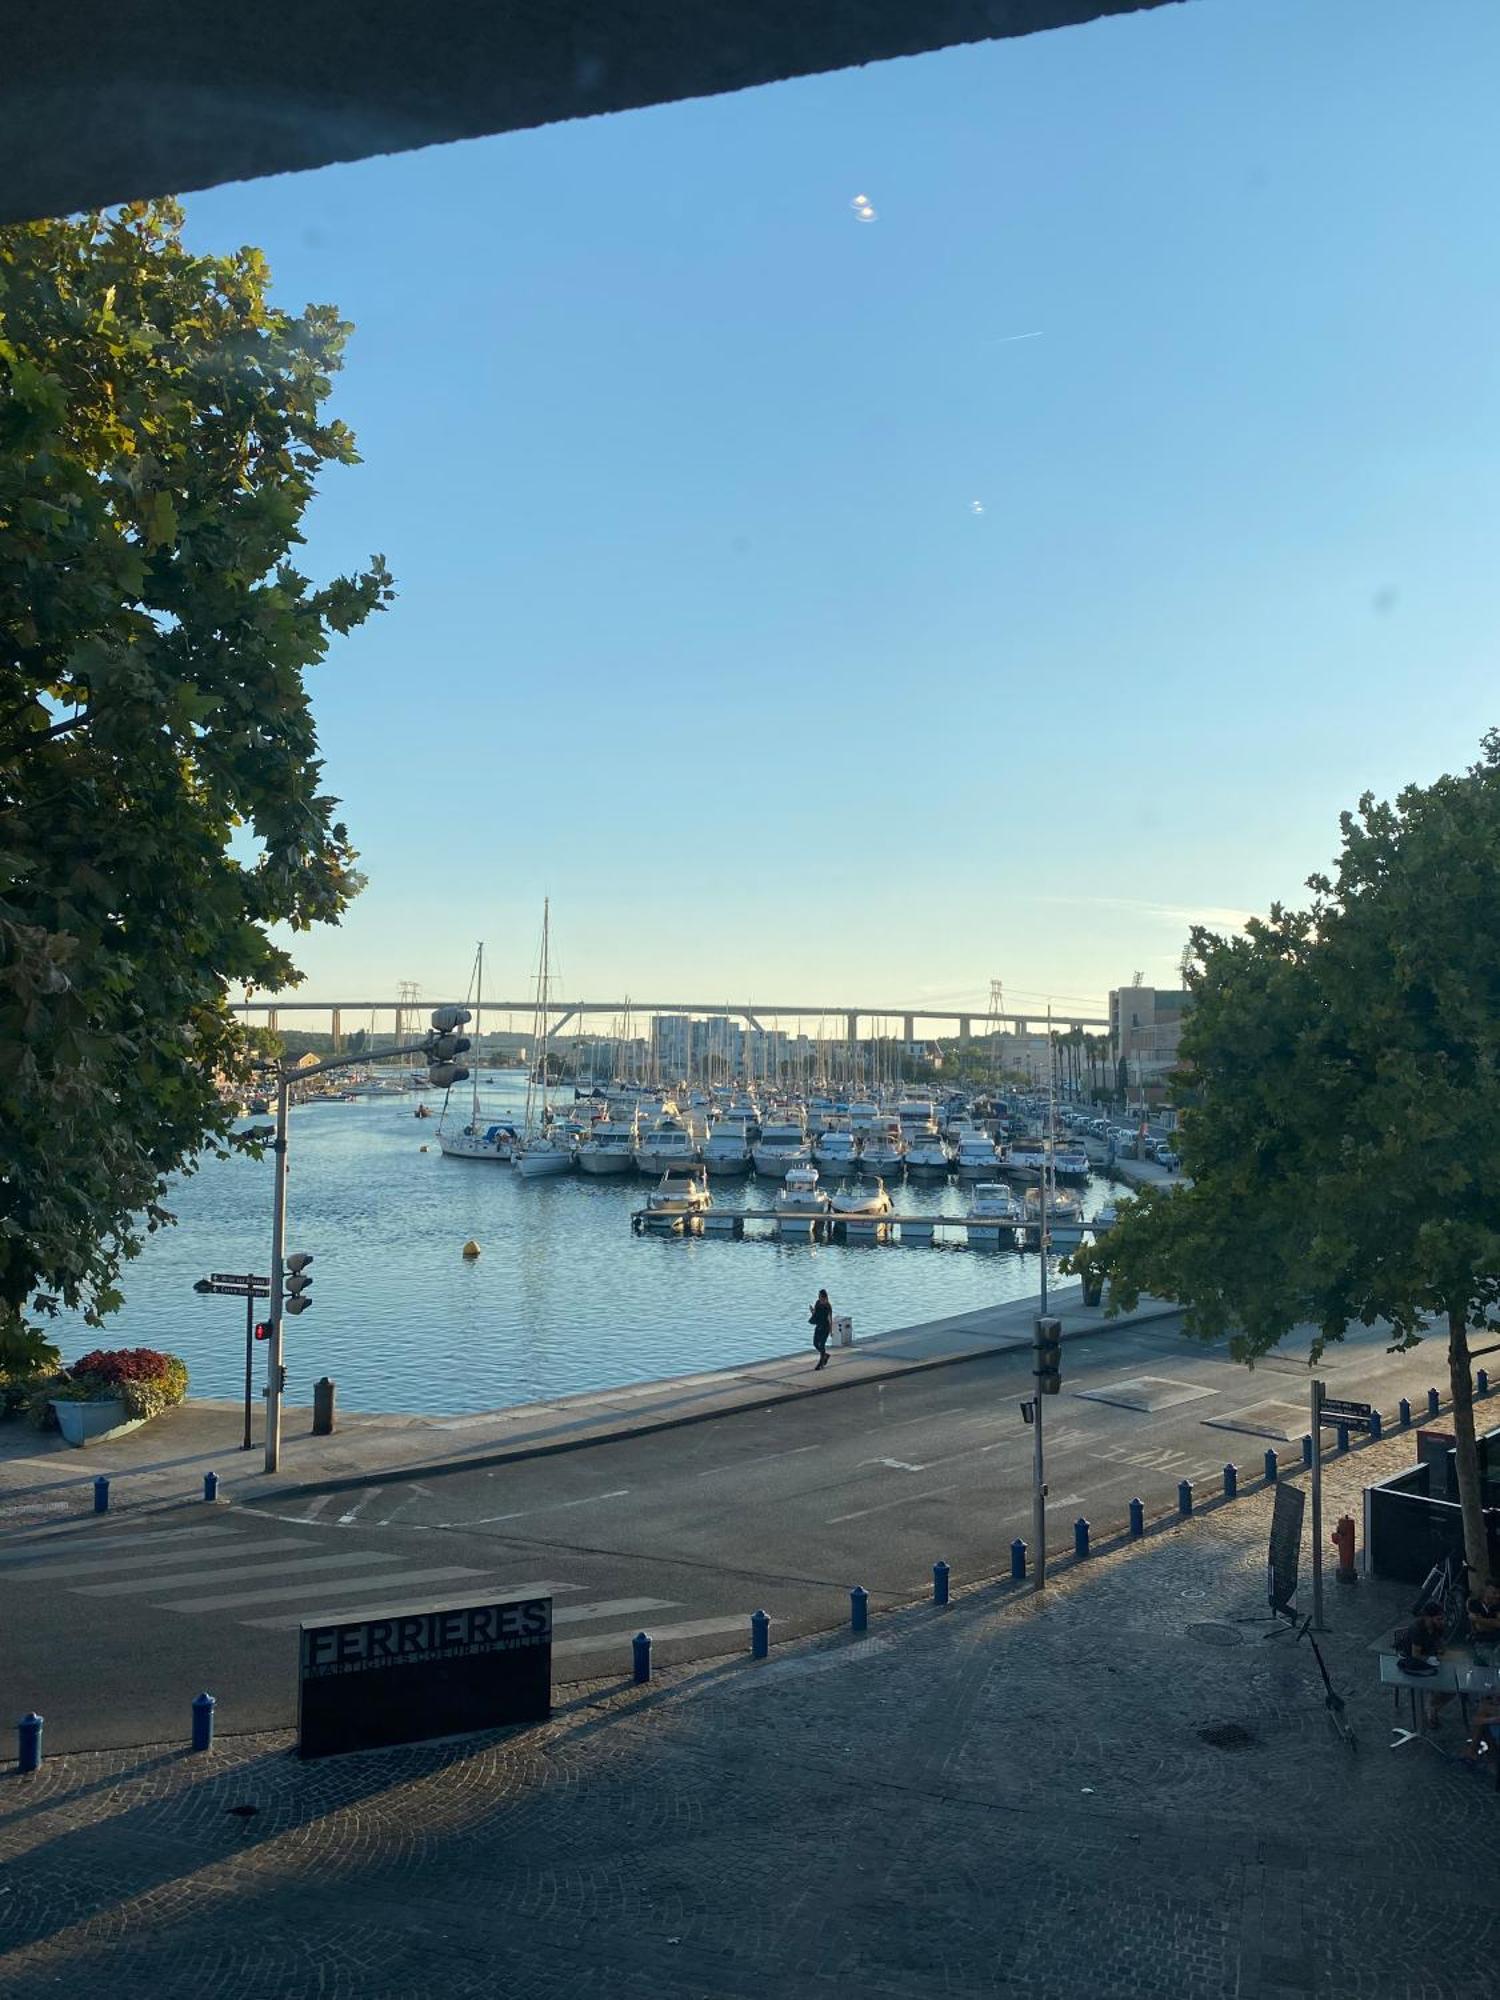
(161, 805)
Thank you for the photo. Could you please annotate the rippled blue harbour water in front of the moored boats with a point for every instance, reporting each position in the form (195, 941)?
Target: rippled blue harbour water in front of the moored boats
(563, 1299)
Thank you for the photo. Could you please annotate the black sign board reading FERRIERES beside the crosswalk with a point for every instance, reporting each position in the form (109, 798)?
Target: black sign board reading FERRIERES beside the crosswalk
(423, 1671)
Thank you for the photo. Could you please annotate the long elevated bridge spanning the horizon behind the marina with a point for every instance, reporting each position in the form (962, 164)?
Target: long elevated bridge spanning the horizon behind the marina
(409, 1015)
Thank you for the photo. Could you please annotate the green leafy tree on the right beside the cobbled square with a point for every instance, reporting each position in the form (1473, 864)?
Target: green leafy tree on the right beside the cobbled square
(1345, 1141)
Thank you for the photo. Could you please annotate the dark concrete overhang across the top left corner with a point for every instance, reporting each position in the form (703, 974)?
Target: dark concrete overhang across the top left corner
(107, 101)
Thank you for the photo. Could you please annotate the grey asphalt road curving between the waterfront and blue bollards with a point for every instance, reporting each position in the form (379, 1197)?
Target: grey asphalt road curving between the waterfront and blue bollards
(113, 1627)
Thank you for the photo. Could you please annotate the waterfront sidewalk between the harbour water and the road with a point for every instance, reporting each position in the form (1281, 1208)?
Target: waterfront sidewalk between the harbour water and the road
(165, 1463)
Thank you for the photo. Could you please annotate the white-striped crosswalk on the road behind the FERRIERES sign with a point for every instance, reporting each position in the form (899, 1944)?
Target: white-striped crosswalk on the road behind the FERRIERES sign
(271, 1583)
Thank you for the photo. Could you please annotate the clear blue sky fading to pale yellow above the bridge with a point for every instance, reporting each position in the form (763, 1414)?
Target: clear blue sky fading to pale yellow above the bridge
(869, 609)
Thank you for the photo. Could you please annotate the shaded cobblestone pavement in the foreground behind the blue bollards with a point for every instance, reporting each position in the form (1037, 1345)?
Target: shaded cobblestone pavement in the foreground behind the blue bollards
(1007, 1797)
